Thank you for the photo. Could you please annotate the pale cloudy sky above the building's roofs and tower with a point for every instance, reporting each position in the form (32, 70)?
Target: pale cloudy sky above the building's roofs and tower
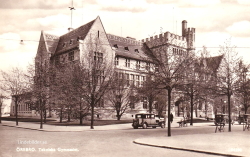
(215, 22)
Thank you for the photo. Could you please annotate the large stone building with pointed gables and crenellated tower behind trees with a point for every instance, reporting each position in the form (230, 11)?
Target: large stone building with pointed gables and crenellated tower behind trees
(127, 56)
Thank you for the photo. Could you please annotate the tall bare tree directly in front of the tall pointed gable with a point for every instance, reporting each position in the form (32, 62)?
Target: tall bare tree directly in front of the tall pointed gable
(97, 67)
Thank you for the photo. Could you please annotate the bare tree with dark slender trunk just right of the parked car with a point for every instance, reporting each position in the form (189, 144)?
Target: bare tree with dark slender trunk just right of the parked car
(170, 69)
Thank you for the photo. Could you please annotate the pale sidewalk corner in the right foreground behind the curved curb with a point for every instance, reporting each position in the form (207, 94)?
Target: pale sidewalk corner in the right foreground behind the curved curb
(226, 143)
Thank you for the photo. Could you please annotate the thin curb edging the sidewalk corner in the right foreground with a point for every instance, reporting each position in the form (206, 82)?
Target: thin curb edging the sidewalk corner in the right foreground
(185, 149)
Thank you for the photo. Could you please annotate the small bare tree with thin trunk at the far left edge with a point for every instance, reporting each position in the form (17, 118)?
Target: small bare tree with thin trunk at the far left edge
(15, 83)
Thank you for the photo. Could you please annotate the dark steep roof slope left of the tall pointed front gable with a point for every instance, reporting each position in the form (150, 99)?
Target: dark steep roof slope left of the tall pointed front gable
(69, 40)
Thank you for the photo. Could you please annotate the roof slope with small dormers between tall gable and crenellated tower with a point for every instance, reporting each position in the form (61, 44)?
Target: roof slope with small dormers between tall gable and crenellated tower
(134, 51)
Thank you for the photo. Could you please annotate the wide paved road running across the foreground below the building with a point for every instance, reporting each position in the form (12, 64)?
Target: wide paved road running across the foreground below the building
(92, 143)
